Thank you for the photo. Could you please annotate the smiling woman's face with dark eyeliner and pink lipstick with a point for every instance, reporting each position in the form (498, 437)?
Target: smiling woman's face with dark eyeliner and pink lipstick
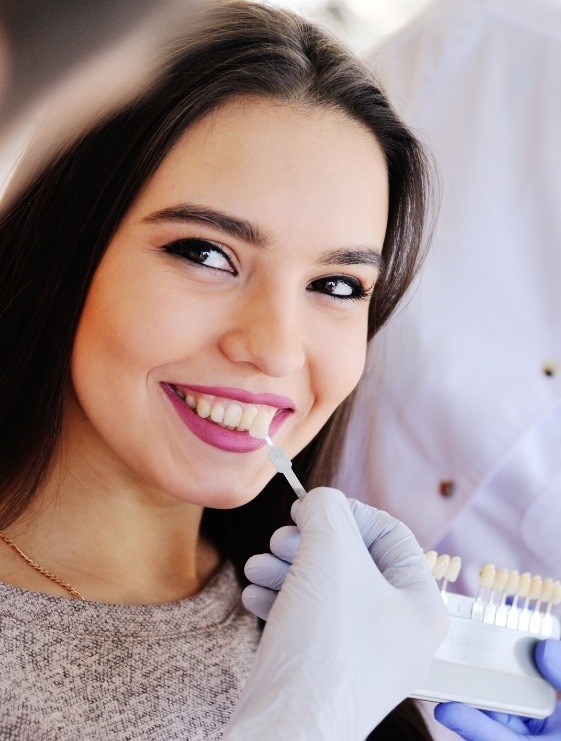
(238, 281)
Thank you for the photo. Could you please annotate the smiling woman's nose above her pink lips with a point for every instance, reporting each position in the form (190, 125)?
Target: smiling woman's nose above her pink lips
(266, 333)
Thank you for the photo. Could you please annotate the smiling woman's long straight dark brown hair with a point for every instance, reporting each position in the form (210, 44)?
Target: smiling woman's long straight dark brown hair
(53, 235)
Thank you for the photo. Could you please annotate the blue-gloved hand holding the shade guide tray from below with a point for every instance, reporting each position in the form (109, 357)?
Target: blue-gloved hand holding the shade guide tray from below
(483, 725)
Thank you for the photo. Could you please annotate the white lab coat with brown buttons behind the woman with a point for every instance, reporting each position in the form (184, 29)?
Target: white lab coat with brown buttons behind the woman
(455, 398)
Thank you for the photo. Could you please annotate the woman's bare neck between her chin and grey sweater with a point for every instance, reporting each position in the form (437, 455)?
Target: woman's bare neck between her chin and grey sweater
(109, 537)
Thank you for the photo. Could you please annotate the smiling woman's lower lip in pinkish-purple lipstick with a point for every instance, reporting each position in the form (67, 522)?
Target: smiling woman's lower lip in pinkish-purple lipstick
(232, 441)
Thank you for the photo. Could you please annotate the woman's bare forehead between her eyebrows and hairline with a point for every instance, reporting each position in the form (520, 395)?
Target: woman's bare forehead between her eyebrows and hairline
(277, 164)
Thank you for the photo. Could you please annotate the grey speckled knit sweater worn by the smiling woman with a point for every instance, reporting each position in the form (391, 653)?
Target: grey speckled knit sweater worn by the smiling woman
(88, 670)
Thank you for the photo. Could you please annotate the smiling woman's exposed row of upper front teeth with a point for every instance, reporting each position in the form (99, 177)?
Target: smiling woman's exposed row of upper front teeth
(232, 414)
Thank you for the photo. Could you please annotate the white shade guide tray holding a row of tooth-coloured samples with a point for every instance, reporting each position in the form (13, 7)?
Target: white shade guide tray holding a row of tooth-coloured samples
(486, 658)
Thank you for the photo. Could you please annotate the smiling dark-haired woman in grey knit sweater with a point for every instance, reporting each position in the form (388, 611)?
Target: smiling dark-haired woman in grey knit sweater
(220, 250)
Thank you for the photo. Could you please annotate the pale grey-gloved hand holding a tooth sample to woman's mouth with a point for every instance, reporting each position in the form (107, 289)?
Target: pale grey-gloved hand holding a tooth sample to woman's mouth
(351, 631)
